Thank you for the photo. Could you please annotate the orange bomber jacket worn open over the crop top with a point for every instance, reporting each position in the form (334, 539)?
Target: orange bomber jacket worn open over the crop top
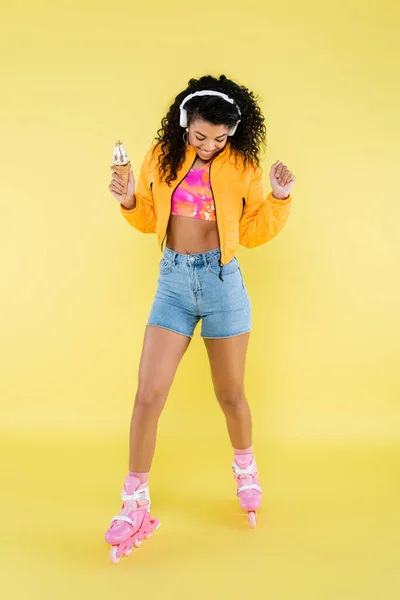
(244, 215)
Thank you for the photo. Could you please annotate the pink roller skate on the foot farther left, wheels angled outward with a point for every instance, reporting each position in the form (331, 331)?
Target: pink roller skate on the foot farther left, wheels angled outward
(133, 523)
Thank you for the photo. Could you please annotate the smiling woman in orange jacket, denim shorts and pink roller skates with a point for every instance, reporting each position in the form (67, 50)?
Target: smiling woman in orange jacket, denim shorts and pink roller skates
(200, 191)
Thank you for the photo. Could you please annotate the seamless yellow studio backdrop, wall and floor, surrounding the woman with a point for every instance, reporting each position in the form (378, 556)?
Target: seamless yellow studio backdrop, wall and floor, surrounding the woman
(77, 283)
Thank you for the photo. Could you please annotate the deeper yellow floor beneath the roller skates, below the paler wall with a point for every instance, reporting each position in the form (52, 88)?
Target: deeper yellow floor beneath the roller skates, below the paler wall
(328, 530)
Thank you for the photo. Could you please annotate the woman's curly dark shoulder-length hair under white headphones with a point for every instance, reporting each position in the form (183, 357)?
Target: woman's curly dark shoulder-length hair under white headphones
(250, 135)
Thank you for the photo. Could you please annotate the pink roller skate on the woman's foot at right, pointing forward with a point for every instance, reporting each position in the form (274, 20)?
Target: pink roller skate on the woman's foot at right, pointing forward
(248, 487)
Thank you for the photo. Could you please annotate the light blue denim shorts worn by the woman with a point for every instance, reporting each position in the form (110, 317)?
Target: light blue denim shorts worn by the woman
(189, 289)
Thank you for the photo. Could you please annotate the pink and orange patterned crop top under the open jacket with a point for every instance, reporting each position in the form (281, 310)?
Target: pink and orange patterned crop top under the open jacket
(193, 197)
